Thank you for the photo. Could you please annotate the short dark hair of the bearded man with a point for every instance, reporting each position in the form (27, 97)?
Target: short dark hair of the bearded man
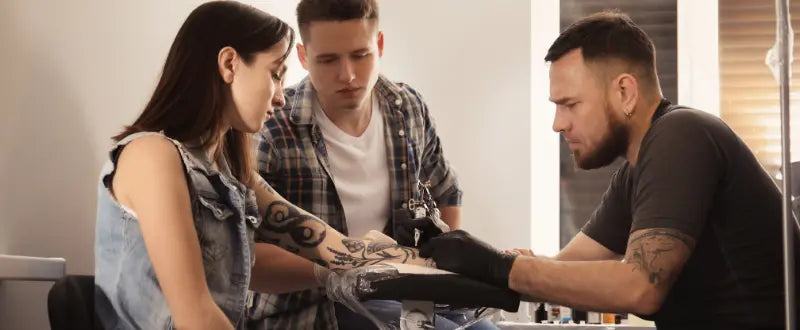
(607, 35)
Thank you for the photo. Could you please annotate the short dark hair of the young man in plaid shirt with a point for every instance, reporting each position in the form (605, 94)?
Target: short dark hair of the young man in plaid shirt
(309, 11)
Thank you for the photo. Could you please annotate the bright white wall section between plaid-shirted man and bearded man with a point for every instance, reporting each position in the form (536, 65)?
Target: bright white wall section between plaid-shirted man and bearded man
(474, 71)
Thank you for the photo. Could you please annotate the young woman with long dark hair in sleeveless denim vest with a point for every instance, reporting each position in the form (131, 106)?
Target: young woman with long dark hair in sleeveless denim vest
(179, 201)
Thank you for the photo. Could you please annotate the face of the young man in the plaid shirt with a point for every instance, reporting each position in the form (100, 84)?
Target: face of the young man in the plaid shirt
(342, 60)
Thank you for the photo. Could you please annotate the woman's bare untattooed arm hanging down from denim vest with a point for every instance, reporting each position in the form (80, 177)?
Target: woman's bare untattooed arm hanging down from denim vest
(150, 181)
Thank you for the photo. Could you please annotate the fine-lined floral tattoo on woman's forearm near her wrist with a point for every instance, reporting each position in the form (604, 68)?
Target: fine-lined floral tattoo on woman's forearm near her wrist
(365, 253)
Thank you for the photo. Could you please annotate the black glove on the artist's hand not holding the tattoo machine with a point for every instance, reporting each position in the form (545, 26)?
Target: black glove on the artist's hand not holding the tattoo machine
(459, 252)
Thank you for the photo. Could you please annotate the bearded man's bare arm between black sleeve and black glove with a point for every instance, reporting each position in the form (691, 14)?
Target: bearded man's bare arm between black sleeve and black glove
(637, 284)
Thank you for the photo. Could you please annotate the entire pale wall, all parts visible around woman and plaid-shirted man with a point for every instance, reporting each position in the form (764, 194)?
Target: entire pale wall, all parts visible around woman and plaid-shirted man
(75, 72)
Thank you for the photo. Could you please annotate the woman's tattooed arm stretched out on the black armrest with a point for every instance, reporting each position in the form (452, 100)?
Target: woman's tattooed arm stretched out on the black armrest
(302, 233)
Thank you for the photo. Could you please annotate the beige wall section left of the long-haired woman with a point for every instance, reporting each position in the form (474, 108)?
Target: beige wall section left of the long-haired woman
(75, 72)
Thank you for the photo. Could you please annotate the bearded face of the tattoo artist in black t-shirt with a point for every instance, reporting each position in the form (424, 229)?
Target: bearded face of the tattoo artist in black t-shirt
(584, 116)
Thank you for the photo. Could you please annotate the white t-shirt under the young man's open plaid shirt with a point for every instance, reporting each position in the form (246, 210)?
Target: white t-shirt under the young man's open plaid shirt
(360, 171)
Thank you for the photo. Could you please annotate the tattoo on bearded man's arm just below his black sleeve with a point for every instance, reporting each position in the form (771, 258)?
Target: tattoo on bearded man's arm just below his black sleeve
(653, 253)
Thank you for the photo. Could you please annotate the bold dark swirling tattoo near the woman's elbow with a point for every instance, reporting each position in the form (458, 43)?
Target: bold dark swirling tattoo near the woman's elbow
(284, 218)
